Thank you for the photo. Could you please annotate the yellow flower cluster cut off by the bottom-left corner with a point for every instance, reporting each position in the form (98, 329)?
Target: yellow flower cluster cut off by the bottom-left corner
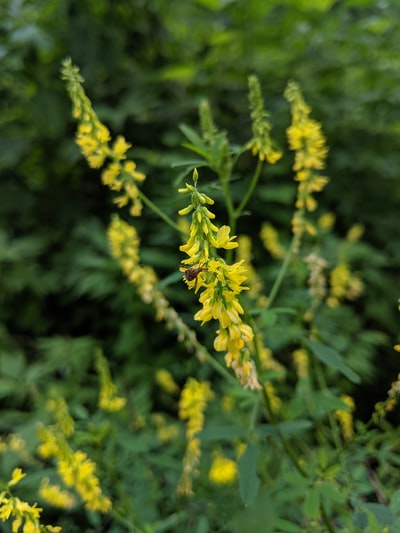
(22, 513)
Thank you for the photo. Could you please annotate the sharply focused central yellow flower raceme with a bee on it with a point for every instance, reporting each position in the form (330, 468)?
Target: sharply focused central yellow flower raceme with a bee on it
(221, 284)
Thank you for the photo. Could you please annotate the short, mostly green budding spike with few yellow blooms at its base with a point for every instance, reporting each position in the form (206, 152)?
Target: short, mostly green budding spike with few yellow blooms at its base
(261, 143)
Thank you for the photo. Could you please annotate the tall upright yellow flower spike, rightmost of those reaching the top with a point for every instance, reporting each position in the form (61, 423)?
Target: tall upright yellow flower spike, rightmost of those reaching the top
(307, 140)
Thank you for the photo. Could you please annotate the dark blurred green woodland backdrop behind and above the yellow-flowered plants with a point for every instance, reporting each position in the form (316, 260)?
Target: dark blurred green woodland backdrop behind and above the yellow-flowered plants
(147, 64)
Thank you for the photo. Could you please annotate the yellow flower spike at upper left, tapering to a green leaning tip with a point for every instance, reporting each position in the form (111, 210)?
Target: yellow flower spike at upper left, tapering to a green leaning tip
(94, 141)
